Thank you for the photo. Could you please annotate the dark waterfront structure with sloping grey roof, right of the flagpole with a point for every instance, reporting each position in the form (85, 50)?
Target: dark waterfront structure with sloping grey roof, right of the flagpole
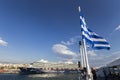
(111, 70)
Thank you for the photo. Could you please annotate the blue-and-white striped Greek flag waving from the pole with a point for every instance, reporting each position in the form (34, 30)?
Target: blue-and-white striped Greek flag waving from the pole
(96, 41)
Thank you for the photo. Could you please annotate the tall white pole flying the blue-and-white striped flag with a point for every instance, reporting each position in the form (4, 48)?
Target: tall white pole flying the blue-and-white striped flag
(88, 72)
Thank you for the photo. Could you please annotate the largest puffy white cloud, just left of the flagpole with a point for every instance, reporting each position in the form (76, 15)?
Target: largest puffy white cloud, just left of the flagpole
(63, 50)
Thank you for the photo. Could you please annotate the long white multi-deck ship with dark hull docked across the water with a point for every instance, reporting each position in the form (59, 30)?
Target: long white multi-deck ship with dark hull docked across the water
(40, 67)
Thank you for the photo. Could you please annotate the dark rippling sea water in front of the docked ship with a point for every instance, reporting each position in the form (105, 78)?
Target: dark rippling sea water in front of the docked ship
(39, 77)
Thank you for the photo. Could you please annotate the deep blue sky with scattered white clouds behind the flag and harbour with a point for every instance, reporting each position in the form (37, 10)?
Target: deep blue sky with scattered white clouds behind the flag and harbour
(32, 30)
